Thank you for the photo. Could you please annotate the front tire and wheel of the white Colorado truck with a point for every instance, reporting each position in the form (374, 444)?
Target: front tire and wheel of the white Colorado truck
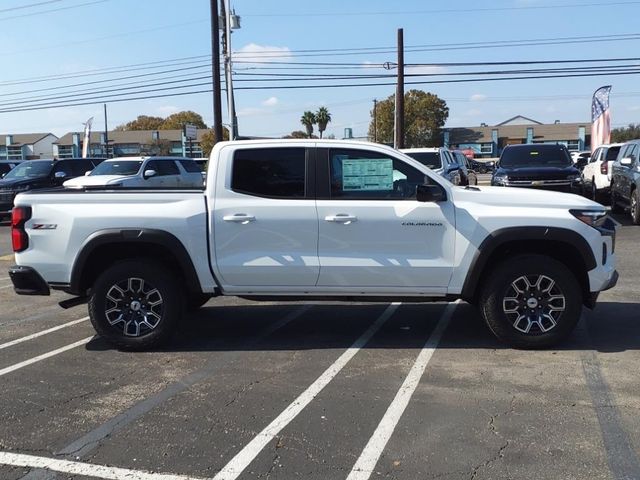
(531, 301)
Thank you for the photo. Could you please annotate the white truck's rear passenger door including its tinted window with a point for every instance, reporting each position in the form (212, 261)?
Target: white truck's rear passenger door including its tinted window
(264, 221)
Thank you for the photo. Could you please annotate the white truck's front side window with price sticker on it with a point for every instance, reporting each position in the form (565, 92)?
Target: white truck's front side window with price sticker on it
(360, 174)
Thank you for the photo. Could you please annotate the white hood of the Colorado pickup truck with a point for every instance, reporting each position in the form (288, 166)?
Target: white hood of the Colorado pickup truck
(522, 197)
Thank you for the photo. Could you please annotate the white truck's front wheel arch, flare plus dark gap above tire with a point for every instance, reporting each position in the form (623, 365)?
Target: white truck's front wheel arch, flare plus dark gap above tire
(566, 246)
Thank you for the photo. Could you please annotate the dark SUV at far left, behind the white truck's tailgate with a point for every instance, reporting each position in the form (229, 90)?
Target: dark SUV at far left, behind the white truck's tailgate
(35, 174)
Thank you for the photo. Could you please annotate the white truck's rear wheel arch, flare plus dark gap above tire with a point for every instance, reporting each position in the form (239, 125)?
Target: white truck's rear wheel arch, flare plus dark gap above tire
(105, 247)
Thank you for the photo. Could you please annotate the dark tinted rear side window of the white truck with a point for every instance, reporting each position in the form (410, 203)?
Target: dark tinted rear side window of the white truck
(269, 172)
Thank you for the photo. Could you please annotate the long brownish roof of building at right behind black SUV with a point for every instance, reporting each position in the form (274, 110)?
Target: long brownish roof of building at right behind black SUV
(552, 132)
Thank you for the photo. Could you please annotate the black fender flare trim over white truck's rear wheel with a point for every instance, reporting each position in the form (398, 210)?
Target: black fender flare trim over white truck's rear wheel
(133, 236)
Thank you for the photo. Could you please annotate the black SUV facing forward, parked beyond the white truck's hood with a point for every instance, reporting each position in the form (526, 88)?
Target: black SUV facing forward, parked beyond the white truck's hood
(544, 166)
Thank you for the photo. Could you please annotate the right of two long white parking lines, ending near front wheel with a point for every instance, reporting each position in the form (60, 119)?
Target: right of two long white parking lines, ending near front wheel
(369, 457)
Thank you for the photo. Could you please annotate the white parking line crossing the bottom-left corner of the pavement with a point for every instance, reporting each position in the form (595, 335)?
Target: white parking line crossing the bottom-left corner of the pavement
(85, 469)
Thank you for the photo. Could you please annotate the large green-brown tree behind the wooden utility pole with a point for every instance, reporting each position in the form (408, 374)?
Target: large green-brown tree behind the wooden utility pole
(425, 114)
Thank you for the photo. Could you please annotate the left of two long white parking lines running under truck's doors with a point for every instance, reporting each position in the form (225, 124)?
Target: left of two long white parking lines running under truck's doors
(236, 466)
